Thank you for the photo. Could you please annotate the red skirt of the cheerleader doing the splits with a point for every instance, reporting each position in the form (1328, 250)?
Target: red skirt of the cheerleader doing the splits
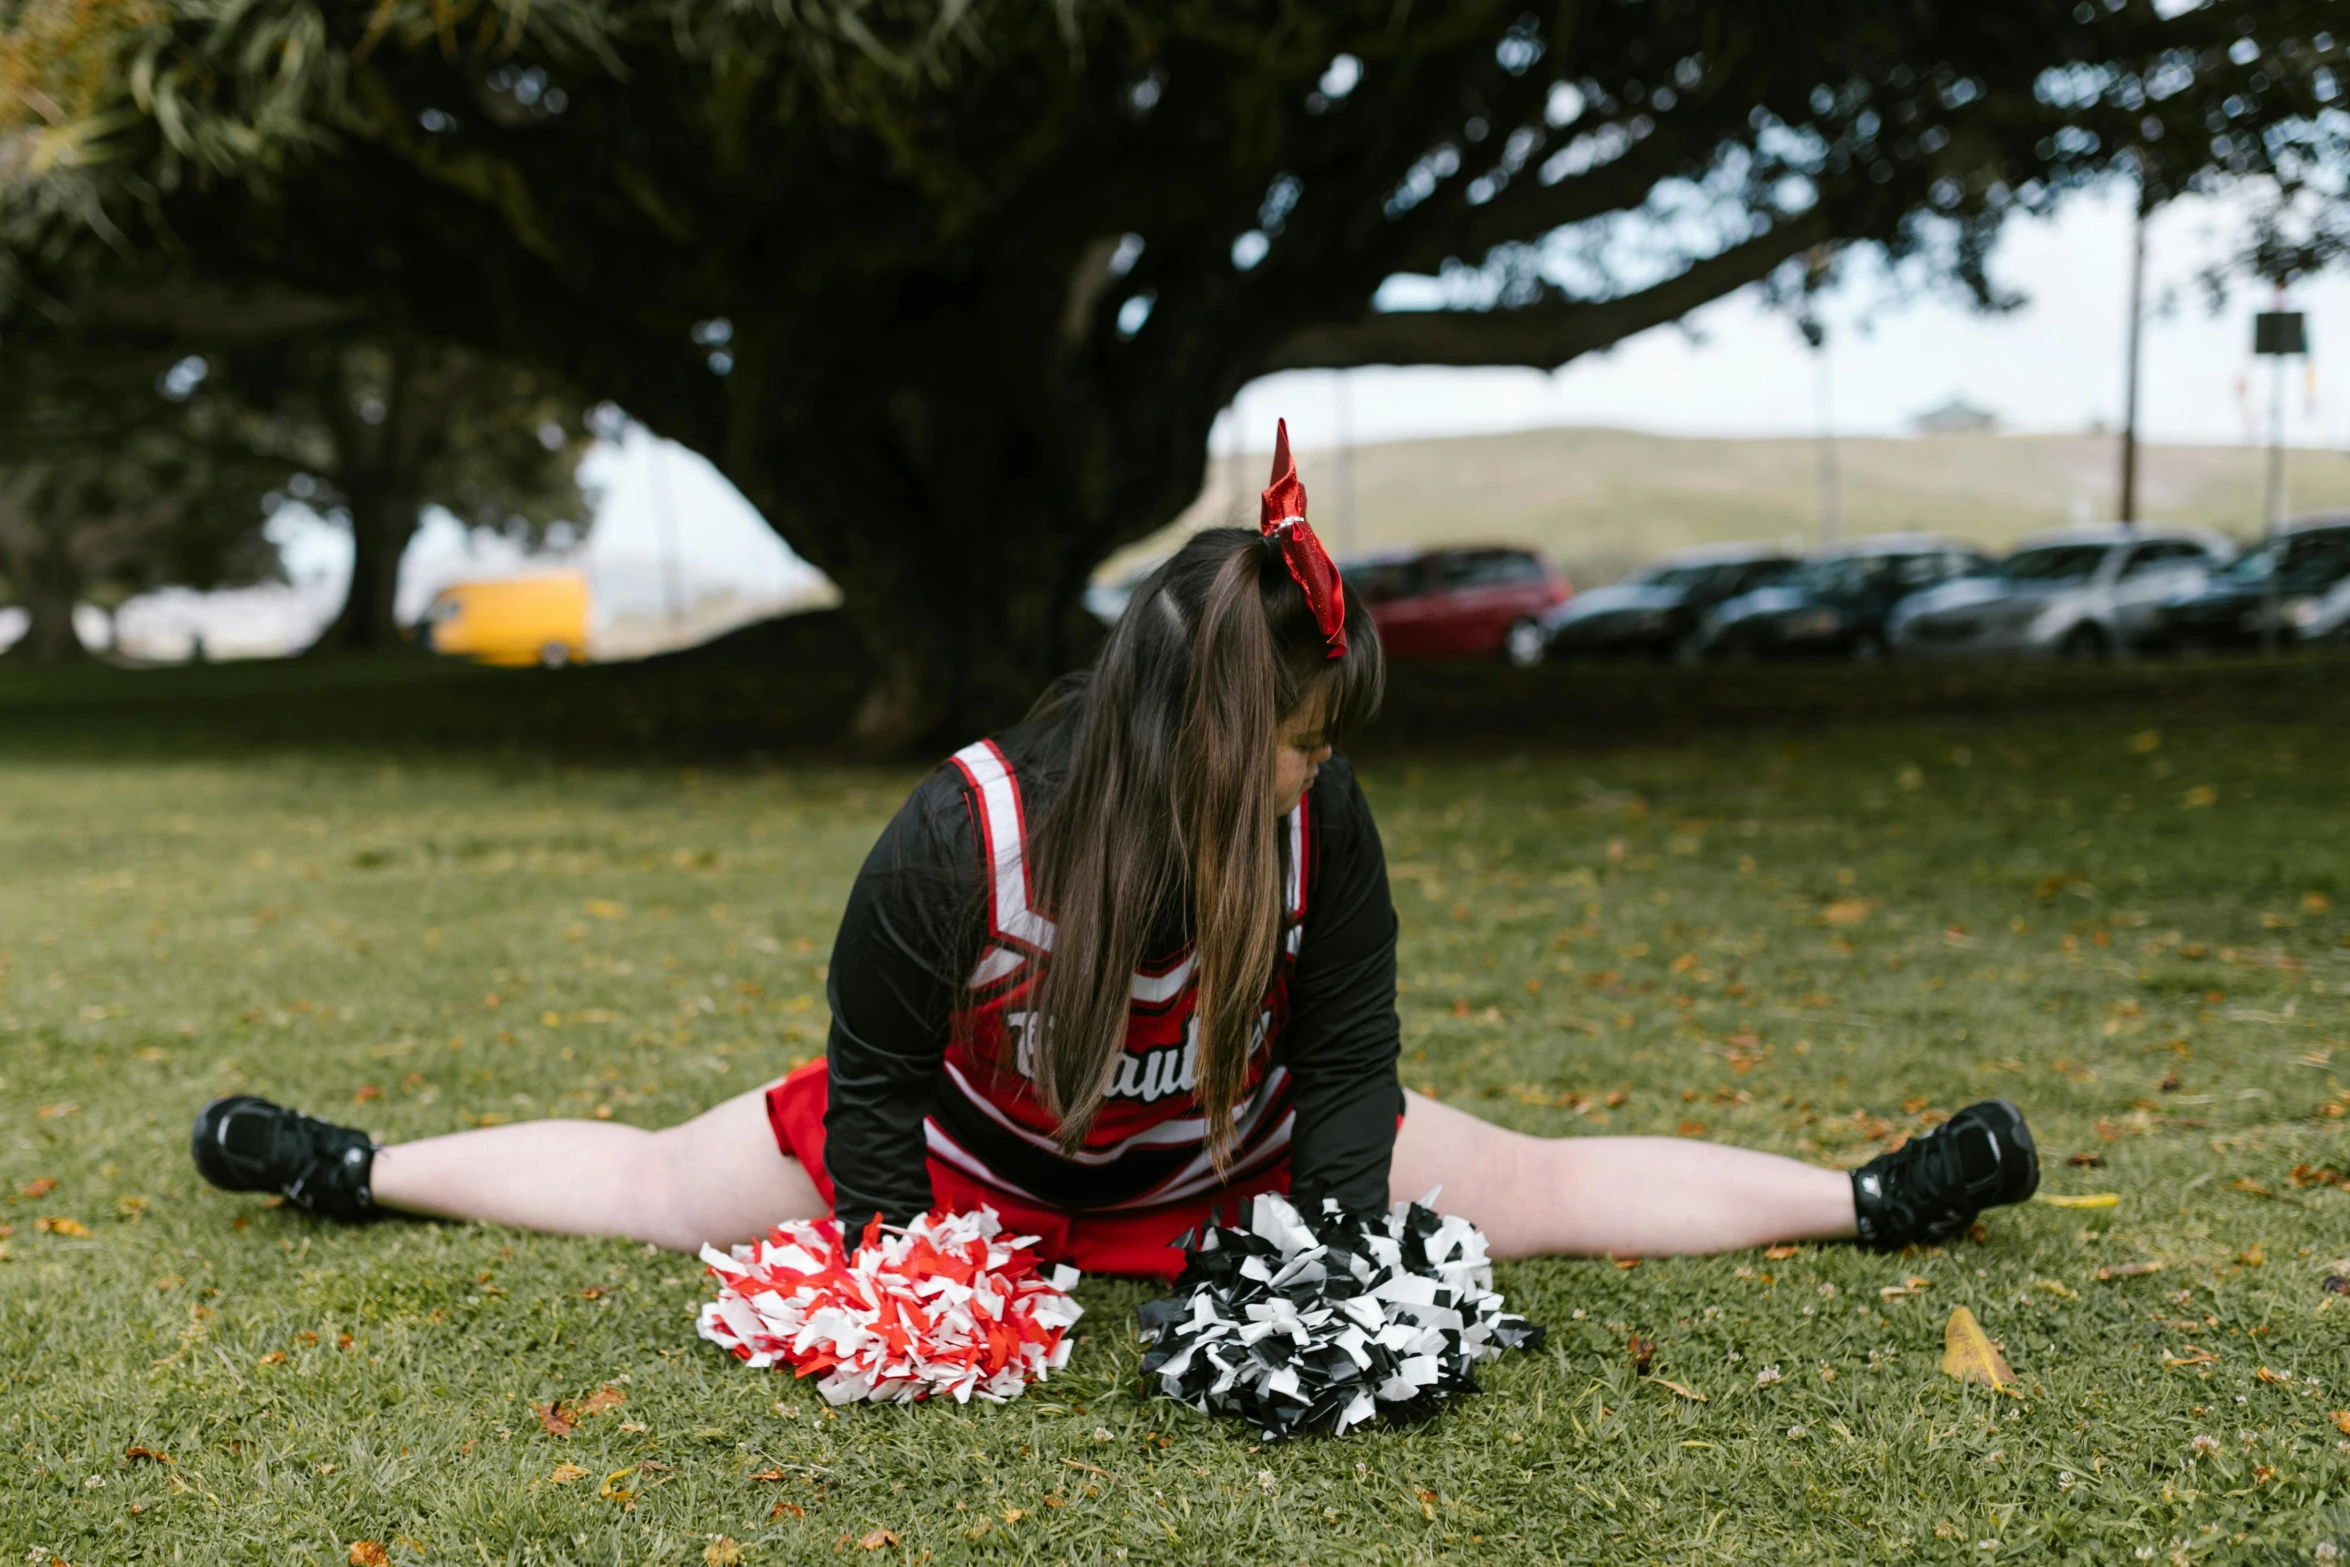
(1132, 1242)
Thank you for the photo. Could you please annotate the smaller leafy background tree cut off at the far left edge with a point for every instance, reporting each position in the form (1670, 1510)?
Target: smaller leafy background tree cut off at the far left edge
(119, 480)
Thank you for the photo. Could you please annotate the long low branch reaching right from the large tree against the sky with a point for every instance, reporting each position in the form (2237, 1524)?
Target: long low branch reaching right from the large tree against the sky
(1550, 335)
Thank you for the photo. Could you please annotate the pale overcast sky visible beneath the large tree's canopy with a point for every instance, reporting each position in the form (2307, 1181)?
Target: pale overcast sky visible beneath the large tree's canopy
(1731, 370)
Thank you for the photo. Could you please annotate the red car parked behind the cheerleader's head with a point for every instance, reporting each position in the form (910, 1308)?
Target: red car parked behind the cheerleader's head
(1458, 603)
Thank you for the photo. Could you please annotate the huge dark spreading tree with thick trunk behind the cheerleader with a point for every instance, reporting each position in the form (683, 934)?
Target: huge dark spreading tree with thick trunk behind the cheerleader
(955, 288)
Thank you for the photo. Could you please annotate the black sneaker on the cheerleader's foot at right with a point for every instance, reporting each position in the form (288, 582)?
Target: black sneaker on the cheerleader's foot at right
(1931, 1188)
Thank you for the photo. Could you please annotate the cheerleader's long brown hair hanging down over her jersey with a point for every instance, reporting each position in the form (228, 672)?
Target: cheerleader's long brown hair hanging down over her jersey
(1169, 809)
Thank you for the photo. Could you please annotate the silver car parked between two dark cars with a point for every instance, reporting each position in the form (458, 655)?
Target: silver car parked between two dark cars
(2069, 593)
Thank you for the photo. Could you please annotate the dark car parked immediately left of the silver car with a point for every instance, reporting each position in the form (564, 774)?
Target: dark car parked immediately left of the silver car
(1837, 603)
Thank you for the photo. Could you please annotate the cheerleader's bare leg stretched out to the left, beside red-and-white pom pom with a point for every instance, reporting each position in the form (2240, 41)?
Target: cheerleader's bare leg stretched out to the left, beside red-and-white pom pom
(716, 1178)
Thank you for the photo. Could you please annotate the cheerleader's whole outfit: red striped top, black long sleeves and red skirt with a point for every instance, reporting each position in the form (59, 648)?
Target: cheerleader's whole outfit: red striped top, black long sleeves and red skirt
(925, 1096)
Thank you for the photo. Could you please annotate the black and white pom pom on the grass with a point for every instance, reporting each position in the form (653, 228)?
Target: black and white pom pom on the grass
(1320, 1324)
